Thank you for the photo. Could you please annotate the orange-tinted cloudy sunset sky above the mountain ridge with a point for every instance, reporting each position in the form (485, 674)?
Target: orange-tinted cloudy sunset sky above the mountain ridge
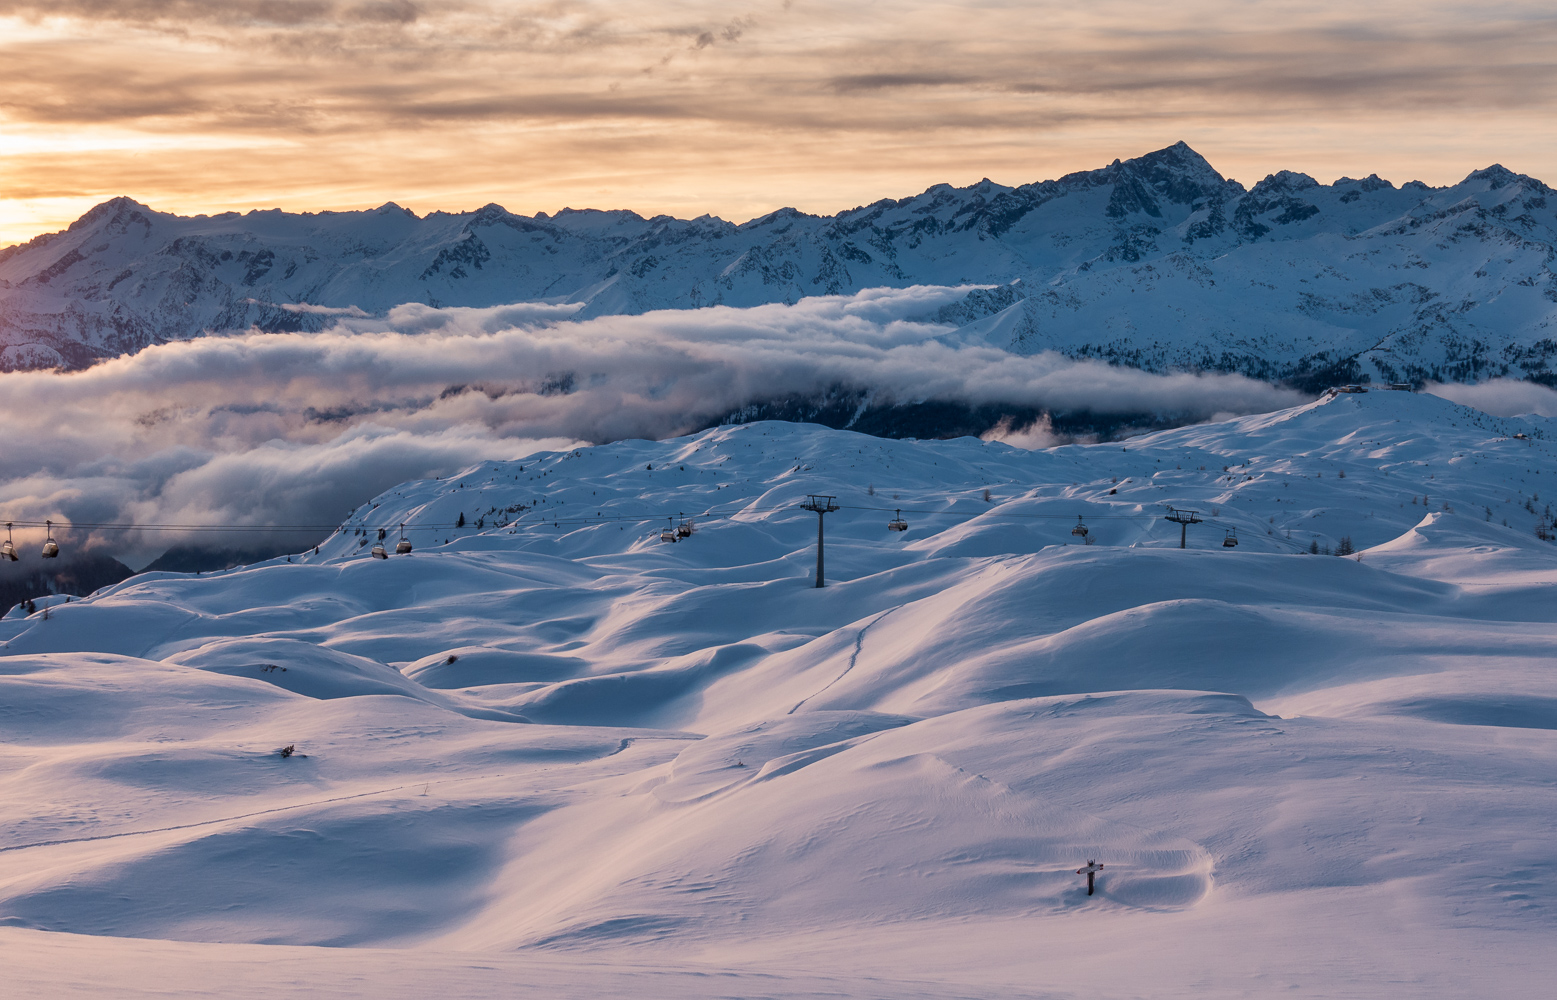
(689, 107)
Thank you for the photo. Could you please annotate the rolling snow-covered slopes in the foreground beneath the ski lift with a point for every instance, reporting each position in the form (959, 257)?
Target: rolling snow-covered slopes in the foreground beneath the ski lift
(550, 755)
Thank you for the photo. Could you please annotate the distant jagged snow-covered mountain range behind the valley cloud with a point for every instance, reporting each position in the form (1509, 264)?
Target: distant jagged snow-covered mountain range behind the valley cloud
(1156, 262)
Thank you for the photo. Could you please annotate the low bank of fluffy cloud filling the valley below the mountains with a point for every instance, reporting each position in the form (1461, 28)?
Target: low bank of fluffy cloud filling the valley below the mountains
(295, 429)
